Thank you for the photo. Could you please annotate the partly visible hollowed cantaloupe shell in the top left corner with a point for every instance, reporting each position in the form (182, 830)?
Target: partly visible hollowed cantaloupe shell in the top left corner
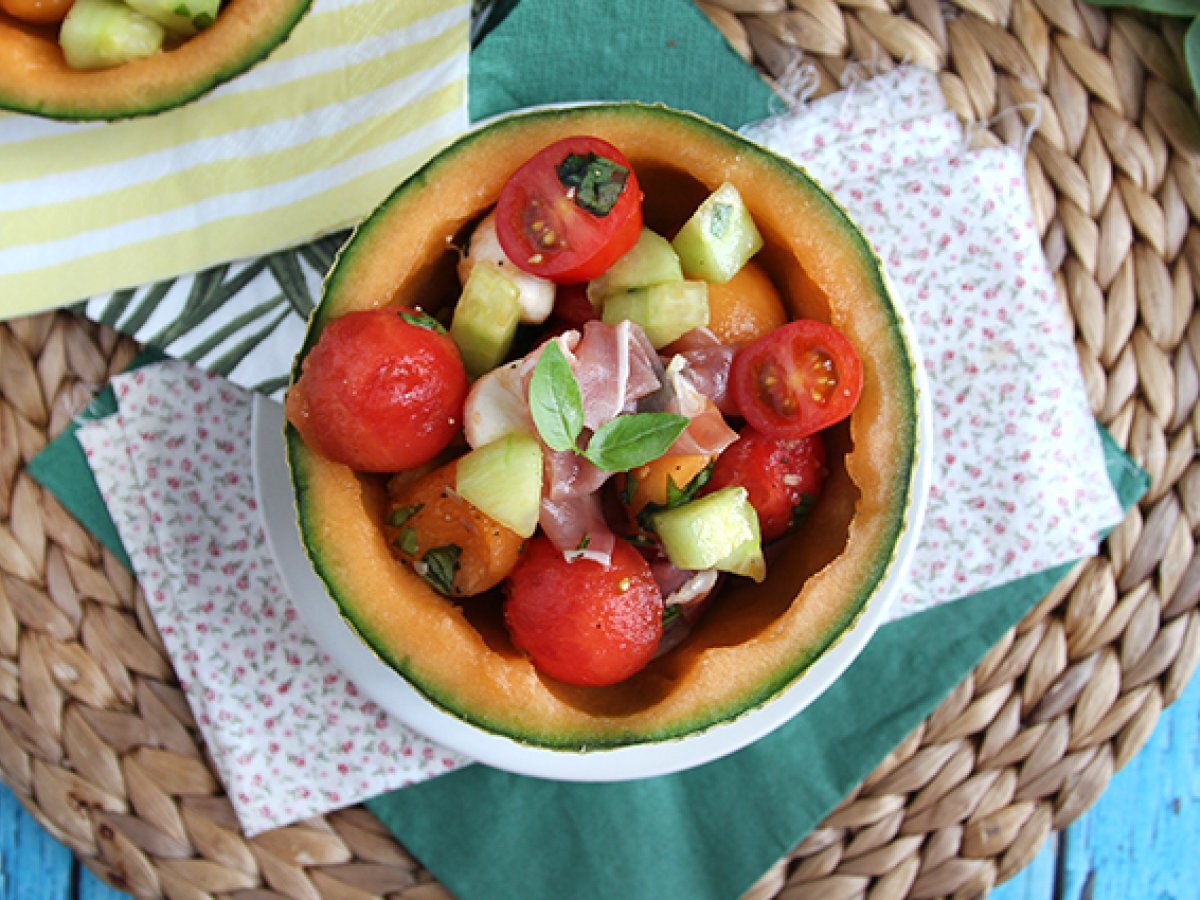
(35, 79)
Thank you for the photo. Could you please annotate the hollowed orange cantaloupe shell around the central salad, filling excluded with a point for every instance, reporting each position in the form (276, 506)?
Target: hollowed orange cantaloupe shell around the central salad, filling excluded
(712, 679)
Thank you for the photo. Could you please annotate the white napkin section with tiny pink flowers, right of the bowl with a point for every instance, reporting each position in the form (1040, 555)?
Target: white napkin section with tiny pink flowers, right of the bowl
(1019, 483)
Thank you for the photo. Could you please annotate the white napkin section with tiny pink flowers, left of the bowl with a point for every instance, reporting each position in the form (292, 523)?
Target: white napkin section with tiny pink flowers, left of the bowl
(290, 735)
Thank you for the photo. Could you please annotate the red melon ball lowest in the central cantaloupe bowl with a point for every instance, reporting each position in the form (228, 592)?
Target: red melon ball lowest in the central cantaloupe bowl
(583, 622)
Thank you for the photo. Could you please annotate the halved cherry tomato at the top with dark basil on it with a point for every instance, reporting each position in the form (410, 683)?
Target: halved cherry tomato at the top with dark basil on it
(571, 212)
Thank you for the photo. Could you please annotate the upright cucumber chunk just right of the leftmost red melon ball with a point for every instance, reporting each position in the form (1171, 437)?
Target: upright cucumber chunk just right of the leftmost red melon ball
(485, 320)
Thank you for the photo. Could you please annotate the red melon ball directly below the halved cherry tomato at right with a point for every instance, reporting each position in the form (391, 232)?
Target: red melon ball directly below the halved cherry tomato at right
(783, 477)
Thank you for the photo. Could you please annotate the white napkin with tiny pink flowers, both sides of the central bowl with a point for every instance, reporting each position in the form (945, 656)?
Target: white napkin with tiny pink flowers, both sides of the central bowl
(1019, 482)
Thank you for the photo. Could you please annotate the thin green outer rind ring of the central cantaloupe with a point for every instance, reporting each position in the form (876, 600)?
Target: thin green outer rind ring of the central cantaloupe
(883, 559)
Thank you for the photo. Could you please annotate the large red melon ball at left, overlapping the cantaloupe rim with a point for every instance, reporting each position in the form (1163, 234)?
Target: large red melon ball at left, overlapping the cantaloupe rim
(381, 392)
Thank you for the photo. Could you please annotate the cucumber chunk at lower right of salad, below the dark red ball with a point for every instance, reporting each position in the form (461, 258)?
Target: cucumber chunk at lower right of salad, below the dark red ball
(719, 531)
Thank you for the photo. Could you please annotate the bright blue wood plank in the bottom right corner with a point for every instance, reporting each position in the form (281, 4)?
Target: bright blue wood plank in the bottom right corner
(1143, 837)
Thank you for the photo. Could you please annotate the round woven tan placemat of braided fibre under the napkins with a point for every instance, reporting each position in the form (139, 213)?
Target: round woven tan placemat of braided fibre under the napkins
(97, 739)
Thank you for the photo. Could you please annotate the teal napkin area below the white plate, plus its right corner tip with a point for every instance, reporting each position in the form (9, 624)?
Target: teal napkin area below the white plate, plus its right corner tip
(713, 831)
